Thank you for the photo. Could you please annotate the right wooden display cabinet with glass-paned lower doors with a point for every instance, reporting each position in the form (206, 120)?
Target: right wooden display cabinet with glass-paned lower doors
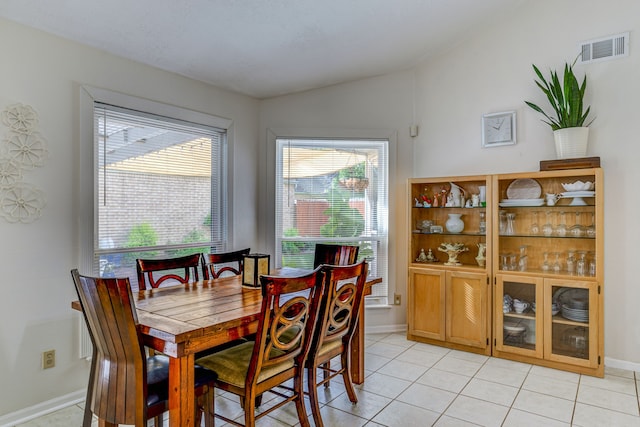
(551, 256)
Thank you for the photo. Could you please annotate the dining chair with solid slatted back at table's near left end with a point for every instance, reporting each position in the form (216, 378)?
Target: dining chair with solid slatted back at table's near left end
(125, 386)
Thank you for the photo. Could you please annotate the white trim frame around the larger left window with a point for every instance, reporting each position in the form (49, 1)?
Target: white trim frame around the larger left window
(88, 182)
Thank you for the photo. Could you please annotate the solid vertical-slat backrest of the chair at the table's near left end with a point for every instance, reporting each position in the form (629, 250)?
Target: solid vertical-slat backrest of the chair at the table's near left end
(119, 363)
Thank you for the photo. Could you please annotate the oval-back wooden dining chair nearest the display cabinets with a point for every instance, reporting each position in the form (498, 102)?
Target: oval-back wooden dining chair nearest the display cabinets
(336, 324)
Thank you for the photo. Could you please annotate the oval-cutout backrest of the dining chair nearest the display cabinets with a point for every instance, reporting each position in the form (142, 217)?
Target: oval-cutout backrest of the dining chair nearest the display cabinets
(340, 303)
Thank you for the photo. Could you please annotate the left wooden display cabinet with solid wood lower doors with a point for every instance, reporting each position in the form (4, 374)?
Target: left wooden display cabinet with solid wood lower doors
(449, 303)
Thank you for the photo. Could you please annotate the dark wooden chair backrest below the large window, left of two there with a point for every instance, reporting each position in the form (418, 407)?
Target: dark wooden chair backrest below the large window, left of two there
(147, 267)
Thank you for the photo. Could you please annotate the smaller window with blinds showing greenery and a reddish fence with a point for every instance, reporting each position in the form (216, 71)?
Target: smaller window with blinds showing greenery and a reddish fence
(333, 191)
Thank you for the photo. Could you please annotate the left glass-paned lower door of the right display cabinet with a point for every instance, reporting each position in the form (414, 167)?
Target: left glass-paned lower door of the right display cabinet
(519, 311)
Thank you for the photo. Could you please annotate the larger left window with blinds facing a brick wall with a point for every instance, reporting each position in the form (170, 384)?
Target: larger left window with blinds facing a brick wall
(160, 189)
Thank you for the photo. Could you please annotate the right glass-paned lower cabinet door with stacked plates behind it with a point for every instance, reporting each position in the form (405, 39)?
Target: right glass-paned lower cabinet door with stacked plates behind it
(570, 333)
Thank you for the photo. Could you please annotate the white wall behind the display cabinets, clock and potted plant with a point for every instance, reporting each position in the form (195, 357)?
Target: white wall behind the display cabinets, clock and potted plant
(492, 72)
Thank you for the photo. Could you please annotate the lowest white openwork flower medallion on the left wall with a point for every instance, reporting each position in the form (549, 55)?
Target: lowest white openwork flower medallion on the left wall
(21, 203)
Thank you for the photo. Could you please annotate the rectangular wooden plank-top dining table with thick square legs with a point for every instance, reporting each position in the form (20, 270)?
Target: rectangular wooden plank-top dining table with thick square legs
(182, 320)
